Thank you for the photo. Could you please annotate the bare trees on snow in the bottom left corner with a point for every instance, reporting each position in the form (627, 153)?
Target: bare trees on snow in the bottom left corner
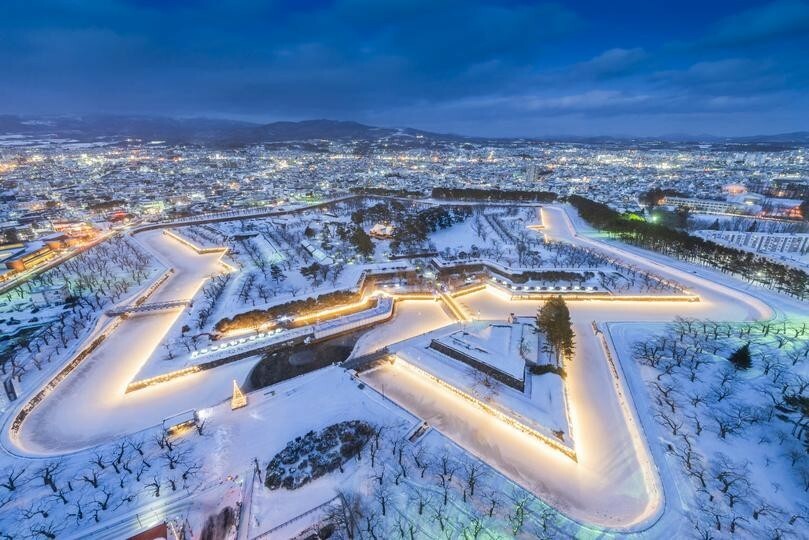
(44, 499)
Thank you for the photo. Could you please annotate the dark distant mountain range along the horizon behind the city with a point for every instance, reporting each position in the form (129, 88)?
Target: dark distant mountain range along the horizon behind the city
(93, 128)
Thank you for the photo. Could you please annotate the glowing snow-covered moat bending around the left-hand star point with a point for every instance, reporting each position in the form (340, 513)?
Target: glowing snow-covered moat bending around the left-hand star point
(91, 406)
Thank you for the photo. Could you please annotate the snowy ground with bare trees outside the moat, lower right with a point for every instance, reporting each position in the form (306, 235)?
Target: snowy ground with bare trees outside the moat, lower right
(736, 460)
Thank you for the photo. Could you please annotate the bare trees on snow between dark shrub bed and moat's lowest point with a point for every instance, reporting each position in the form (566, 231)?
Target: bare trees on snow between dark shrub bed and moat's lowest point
(415, 492)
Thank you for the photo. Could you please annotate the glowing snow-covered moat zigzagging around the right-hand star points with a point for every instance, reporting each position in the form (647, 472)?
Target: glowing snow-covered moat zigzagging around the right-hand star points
(621, 487)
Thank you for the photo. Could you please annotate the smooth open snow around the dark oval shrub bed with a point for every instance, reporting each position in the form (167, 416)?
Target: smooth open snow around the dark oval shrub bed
(266, 425)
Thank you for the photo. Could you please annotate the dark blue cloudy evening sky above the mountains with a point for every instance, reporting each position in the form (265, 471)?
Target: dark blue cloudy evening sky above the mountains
(648, 67)
